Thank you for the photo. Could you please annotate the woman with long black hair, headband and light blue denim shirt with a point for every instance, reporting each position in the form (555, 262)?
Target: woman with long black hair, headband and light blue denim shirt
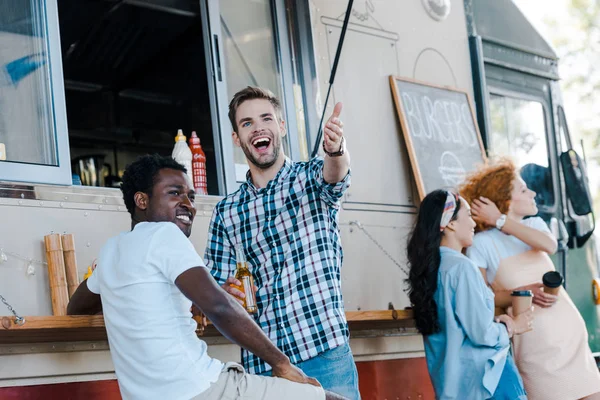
(466, 349)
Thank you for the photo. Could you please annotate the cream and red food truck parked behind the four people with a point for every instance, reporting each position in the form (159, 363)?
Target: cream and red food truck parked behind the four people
(86, 86)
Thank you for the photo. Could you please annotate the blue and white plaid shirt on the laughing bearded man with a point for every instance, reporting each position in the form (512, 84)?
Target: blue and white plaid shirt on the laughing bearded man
(289, 232)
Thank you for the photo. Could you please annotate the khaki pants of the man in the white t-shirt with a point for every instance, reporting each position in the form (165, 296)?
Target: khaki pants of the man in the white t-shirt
(234, 383)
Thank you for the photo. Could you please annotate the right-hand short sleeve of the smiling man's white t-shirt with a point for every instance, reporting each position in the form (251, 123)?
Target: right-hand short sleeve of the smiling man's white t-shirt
(172, 252)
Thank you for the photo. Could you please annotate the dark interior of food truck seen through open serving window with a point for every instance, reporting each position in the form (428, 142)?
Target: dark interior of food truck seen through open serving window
(130, 86)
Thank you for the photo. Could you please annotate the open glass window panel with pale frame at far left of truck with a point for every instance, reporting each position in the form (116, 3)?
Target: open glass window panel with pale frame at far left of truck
(33, 142)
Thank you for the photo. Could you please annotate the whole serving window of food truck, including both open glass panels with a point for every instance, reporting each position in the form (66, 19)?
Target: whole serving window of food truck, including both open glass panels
(125, 76)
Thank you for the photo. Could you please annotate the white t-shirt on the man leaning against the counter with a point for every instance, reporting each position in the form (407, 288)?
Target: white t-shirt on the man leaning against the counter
(151, 333)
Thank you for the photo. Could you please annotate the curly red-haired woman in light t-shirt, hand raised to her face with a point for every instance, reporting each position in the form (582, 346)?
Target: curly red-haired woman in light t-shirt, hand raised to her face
(512, 251)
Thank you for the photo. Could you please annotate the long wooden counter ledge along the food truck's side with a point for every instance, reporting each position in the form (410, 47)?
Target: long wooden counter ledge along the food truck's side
(42, 329)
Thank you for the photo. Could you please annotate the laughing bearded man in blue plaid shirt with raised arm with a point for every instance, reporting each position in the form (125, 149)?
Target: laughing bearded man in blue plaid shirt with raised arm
(286, 218)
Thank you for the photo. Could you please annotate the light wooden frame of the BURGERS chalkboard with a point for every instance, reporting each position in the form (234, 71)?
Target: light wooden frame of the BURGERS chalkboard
(412, 155)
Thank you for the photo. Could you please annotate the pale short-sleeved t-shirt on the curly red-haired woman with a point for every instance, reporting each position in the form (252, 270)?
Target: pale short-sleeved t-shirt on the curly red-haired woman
(490, 246)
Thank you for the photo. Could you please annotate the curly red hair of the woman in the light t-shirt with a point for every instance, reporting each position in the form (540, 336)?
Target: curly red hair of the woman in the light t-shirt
(493, 181)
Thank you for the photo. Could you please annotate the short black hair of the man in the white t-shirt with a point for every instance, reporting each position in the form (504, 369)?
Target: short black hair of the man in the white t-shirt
(139, 176)
